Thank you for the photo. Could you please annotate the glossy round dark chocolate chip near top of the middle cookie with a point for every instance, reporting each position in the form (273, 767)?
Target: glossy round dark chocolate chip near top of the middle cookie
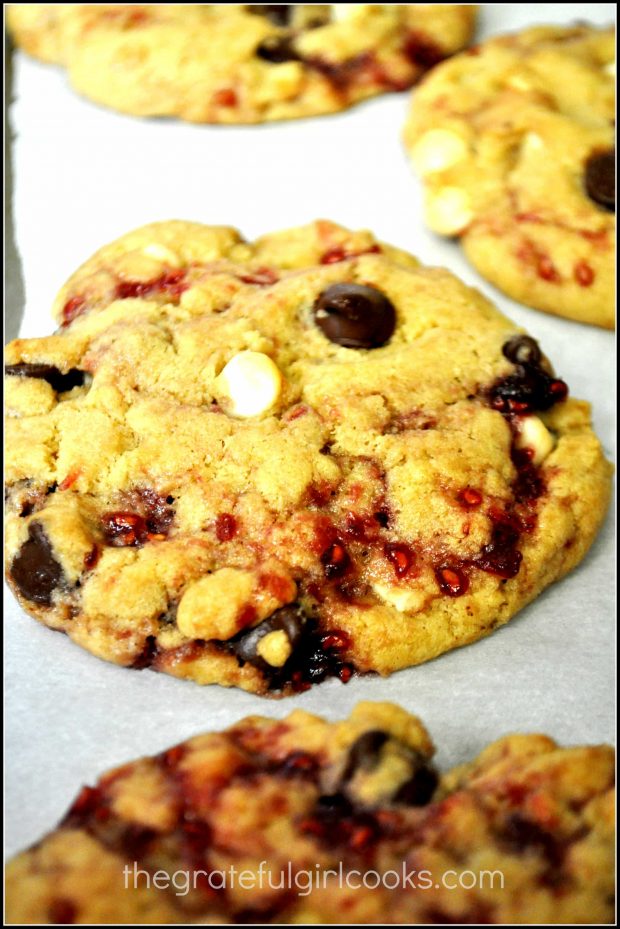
(355, 316)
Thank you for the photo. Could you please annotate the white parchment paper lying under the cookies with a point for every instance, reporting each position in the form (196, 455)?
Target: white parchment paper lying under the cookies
(83, 176)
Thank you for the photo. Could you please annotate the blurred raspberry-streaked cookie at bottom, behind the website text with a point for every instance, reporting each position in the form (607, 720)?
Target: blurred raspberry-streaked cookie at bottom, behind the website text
(346, 822)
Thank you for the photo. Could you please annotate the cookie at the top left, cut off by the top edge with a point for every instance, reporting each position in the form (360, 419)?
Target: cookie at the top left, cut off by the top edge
(231, 63)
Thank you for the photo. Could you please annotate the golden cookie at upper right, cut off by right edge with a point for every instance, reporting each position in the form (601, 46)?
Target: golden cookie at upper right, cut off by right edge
(514, 142)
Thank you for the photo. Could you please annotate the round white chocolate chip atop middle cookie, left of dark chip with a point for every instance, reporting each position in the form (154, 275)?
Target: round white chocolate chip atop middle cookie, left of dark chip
(251, 382)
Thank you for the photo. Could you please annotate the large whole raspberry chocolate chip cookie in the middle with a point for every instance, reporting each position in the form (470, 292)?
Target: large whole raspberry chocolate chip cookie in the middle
(264, 464)
